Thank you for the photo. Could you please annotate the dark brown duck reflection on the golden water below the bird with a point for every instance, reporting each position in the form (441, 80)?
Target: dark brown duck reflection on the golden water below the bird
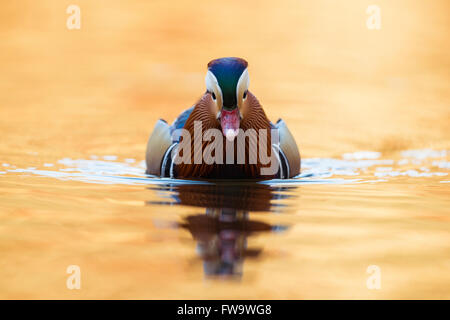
(222, 231)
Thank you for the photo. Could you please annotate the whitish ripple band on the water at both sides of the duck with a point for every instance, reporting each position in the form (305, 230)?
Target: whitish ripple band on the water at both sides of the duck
(356, 167)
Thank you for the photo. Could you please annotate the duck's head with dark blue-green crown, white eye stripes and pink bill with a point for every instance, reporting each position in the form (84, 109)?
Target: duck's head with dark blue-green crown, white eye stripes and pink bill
(227, 82)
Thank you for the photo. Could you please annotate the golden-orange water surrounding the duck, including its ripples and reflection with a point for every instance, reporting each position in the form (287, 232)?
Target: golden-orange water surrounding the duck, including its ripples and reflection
(76, 109)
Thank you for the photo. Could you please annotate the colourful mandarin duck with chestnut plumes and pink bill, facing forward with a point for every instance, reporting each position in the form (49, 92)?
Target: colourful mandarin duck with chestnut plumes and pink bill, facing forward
(219, 137)
